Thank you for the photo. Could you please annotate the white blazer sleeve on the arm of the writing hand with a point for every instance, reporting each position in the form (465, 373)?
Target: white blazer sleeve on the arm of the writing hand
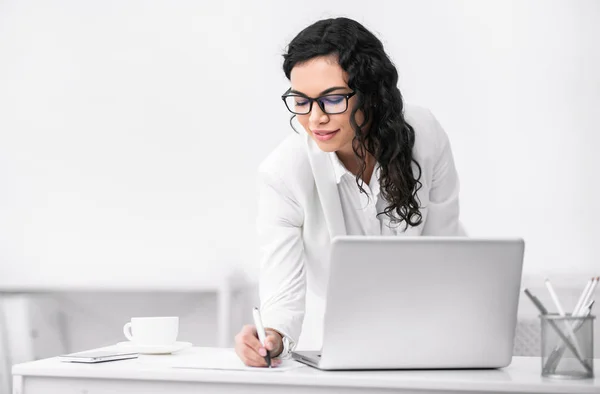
(282, 280)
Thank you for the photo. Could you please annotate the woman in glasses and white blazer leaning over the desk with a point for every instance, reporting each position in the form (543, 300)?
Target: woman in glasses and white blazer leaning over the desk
(363, 165)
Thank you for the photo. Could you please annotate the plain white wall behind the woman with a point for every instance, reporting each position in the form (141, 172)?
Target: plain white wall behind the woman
(130, 131)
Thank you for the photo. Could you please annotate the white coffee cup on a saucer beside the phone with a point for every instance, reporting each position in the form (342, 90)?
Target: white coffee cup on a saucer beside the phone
(152, 331)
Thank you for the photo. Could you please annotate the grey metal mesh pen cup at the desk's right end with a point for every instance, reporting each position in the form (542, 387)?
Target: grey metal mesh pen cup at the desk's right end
(567, 346)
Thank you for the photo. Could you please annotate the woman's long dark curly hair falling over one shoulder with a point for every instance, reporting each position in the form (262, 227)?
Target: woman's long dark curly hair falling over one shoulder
(374, 78)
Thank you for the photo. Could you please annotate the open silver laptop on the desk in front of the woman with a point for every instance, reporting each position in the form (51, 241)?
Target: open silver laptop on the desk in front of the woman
(420, 303)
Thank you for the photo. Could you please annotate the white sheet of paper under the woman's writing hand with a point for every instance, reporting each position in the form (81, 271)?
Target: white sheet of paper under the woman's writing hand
(226, 359)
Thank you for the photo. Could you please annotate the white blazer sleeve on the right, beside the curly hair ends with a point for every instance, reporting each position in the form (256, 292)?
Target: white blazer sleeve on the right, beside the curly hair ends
(443, 210)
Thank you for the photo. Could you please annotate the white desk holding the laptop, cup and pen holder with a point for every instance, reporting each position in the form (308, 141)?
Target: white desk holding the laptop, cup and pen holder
(152, 374)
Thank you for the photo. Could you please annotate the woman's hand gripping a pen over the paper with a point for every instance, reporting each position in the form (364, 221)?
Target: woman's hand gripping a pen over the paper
(251, 352)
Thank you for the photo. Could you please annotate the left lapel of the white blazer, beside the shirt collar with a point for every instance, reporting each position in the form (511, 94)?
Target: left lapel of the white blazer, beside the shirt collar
(327, 187)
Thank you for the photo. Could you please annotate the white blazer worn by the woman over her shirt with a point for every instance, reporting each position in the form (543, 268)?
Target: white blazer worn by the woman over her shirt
(299, 213)
